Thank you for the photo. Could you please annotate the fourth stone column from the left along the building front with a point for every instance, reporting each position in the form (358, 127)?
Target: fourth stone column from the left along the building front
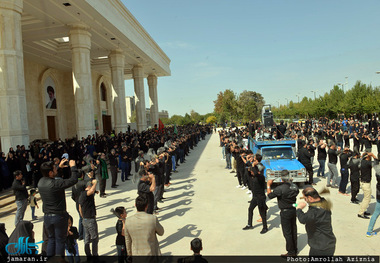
(138, 77)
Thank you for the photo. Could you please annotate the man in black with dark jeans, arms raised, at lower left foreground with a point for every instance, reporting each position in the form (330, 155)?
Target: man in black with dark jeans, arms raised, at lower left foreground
(52, 193)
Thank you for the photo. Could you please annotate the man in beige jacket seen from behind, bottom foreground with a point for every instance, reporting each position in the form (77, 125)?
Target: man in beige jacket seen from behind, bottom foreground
(141, 230)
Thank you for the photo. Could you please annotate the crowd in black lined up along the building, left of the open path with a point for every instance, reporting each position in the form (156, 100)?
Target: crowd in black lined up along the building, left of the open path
(84, 165)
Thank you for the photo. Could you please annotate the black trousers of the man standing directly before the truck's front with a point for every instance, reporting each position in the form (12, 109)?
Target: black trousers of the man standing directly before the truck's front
(289, 229)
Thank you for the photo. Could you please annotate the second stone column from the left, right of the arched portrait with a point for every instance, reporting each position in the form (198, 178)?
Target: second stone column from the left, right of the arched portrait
(80, 44)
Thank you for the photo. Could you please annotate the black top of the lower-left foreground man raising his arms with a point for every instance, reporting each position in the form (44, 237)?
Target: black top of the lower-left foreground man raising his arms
(52, 192)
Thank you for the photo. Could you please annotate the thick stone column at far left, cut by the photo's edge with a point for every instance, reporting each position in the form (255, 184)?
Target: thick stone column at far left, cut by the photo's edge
(13, 110)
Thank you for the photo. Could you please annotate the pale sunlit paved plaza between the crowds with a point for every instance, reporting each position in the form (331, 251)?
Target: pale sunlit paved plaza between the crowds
(204, 202)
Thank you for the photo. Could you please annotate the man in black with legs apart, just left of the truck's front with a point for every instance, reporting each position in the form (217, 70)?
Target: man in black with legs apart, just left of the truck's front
(258, 197)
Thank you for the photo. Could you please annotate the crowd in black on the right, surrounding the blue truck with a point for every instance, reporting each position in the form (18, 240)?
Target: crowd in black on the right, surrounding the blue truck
(314, 138)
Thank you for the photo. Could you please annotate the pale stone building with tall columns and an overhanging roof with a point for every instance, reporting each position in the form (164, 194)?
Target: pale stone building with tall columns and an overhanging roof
(62, 69)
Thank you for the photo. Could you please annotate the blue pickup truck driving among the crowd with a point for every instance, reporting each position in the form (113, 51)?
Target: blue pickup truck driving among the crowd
(277, 156)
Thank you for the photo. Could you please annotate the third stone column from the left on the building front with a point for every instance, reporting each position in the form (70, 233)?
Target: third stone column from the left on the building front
(116, 58)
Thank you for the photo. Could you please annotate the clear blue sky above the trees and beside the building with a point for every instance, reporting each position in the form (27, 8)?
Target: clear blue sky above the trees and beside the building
(278, 48)
